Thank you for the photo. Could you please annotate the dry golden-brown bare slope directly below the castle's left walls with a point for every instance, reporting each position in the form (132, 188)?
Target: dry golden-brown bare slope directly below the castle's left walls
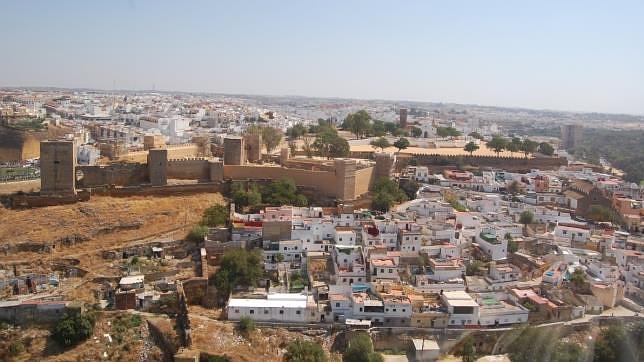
(100, 224)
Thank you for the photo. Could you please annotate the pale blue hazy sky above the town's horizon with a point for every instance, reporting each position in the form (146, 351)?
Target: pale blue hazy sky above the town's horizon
(565, 55)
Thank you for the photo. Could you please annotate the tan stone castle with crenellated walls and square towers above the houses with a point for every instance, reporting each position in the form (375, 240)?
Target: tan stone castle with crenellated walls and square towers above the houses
(341, 179)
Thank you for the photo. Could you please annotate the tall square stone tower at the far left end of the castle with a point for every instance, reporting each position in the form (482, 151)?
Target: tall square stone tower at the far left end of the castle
(58, 168)
